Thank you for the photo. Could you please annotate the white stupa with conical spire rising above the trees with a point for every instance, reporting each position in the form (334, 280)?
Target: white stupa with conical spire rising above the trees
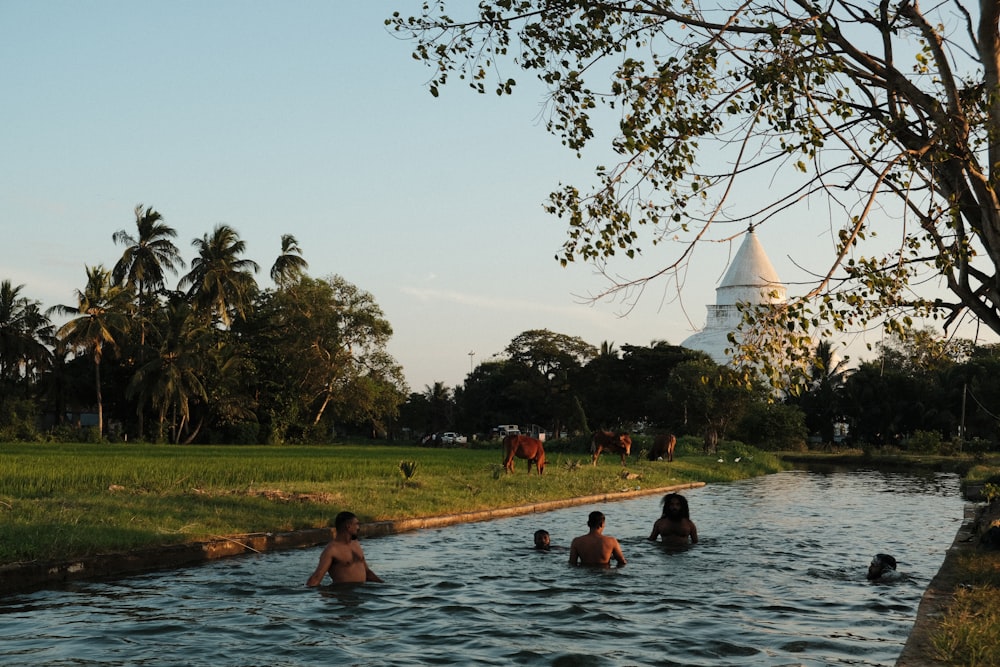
(751, 278)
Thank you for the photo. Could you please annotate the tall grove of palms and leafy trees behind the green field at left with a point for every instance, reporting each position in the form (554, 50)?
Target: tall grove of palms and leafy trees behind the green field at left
(215, 359)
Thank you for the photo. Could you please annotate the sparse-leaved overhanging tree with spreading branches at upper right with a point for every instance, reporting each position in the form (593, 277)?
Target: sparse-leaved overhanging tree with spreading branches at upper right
(884, 115)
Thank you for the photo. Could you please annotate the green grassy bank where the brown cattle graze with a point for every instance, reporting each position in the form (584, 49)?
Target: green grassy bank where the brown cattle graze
(61, 501)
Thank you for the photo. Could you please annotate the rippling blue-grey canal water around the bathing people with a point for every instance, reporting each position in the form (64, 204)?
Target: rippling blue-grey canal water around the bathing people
(777, 579)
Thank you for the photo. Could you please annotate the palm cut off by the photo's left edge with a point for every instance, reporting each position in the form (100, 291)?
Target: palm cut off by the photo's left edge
(25, 336)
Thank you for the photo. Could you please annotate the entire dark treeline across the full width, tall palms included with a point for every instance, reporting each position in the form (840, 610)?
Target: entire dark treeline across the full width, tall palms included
(218, 359)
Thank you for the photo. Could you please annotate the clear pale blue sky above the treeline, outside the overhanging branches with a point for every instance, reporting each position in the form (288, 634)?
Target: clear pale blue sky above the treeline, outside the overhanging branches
(309, 118)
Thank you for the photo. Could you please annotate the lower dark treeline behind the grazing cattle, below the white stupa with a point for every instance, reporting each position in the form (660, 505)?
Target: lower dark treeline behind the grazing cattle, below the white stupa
(921, 394)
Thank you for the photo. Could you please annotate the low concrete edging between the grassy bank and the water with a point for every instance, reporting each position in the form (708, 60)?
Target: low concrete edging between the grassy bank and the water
(21, 577)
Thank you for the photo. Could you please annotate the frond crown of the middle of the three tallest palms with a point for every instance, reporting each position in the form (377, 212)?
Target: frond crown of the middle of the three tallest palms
(220, 282)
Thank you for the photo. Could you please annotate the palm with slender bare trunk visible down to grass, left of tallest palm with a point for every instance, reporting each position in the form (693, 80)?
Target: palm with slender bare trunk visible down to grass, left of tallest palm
(102, 315)
